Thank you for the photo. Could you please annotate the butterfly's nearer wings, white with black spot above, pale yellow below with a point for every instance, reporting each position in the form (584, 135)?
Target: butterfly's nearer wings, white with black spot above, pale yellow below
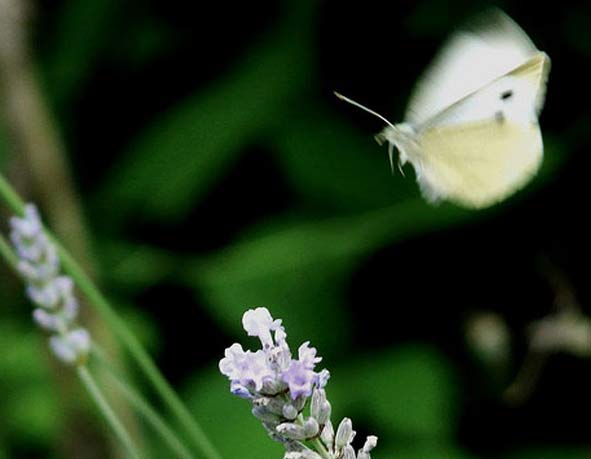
(488, 145)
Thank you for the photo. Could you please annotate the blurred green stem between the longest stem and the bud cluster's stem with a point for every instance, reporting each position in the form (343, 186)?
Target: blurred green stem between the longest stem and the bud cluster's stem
(143, 408)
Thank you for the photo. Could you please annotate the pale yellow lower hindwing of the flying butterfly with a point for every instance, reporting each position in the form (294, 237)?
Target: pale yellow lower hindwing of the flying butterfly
(479, 164)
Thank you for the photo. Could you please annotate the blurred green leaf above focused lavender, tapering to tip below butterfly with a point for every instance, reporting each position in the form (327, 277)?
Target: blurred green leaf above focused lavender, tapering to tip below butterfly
(300, 270)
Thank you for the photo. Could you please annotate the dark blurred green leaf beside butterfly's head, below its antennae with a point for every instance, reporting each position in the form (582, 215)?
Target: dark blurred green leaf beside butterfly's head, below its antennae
(332, 163)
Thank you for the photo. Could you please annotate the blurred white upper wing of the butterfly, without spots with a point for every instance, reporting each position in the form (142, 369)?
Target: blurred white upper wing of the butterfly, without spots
(473, 57)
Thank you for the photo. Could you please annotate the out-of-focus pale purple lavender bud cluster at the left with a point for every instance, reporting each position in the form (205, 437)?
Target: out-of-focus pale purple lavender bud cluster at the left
(52, 293)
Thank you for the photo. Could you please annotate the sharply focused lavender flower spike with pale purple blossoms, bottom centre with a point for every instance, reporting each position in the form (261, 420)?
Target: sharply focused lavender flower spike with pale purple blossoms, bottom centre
(279, 387)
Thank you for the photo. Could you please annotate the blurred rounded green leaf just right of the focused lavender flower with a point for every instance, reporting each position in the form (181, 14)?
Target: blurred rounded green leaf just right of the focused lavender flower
(410, 392)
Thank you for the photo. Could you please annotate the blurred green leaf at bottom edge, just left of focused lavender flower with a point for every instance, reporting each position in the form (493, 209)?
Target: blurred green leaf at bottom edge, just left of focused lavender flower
(227, 420)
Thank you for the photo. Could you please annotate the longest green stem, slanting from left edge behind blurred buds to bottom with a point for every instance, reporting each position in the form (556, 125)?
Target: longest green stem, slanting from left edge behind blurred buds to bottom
(134, 347)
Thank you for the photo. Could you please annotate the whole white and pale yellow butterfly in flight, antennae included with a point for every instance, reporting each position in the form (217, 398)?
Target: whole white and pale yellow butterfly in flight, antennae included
(471, 128)
